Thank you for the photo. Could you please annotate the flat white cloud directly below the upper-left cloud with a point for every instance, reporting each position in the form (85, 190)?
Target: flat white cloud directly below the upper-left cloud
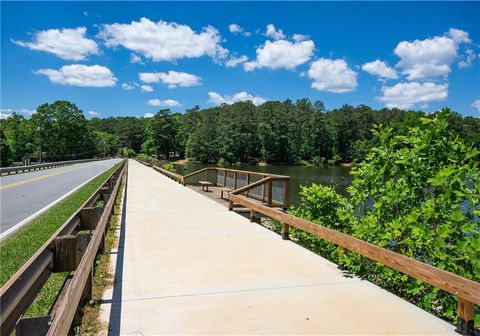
(80, 75)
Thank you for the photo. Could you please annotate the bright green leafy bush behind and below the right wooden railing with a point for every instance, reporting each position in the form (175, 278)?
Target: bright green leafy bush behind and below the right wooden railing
(416, 194)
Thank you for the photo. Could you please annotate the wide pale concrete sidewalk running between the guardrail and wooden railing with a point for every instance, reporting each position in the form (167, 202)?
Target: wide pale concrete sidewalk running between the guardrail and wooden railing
(186, 265)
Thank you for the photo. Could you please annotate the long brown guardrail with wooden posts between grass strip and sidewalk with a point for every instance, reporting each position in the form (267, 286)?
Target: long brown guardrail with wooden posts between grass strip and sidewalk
(66, 251)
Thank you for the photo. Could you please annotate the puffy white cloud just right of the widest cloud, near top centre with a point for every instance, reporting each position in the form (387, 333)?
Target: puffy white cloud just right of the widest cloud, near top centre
(281, 54)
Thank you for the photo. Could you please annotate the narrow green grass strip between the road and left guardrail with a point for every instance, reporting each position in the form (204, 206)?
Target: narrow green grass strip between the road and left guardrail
(17, 249)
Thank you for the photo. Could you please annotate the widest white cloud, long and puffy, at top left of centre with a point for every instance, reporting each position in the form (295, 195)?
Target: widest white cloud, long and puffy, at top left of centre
(164, 41)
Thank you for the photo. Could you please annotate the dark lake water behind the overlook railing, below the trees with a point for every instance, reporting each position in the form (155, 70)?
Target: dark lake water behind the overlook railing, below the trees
(337, 177)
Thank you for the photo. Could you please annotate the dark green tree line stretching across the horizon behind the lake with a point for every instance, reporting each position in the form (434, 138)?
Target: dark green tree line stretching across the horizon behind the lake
(274, 132)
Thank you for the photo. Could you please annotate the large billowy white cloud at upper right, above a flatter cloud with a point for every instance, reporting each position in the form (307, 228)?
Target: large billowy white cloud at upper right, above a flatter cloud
(430, 58)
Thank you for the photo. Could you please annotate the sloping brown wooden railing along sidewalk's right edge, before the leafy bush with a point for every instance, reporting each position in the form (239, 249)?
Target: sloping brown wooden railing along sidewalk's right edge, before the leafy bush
(467, 291)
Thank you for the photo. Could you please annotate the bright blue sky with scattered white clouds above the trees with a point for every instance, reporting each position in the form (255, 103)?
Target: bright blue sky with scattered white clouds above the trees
(125, 58)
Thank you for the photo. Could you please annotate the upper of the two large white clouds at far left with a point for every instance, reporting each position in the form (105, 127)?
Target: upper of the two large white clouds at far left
(69, 44)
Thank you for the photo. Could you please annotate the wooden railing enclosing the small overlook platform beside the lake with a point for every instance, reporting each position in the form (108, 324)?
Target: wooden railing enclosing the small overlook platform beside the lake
(270, 189)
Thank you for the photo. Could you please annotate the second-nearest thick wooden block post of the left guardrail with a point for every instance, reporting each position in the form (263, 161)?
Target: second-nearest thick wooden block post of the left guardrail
(65, 254)
